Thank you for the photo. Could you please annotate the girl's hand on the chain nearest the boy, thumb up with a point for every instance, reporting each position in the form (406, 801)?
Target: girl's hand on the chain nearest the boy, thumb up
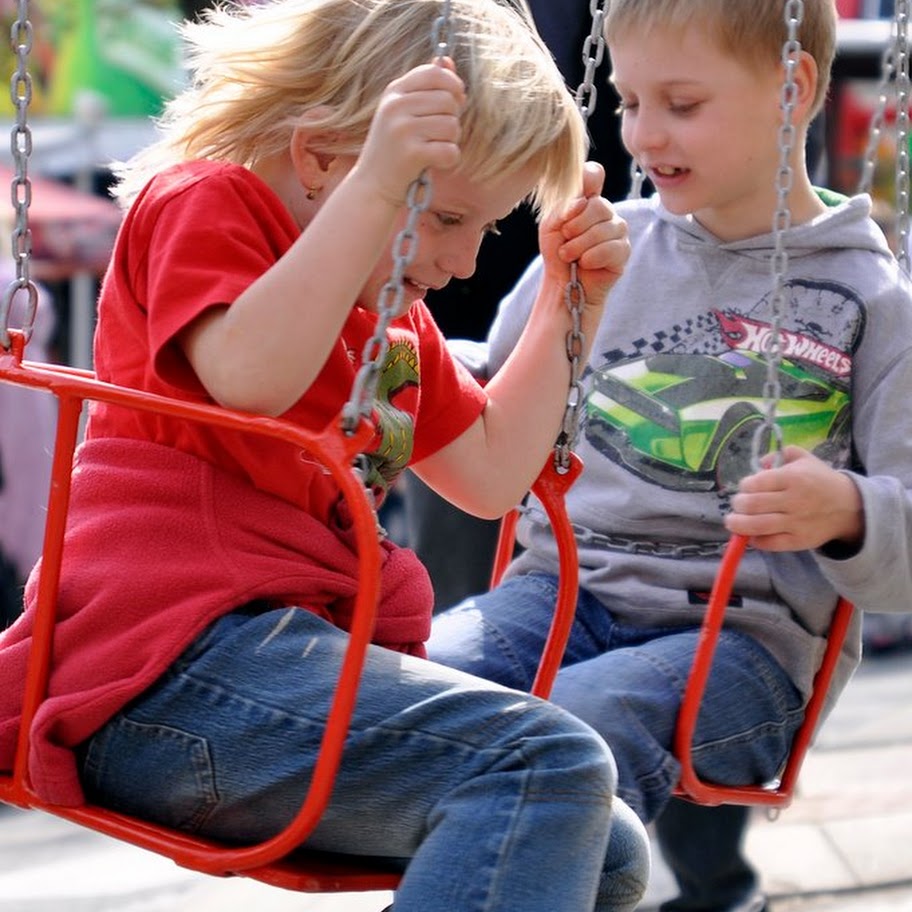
(586, 231)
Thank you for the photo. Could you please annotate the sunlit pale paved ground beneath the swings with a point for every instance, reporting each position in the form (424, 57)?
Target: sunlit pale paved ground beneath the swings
(845, 845)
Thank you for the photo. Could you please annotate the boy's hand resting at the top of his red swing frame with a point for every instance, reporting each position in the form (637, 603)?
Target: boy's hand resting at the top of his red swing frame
(799, 505)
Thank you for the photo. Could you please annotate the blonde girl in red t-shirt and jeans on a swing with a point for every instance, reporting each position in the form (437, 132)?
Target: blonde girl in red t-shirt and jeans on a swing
(209, 576)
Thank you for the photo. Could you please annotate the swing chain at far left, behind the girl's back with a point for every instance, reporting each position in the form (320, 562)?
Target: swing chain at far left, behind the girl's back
(21, 188)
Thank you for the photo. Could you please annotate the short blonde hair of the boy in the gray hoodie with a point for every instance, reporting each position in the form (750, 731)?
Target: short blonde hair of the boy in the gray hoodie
(754, 30)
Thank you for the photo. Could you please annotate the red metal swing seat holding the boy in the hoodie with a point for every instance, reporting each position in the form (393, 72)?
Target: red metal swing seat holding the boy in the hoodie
(690, 786)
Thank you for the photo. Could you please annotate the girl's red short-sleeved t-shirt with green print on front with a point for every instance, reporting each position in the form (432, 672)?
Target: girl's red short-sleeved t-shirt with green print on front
(200, 234)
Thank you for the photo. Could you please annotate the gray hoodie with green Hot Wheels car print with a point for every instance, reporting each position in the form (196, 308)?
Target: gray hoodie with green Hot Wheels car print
(674, 390)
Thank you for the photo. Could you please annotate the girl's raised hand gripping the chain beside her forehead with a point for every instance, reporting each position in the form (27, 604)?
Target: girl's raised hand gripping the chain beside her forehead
(416, 126)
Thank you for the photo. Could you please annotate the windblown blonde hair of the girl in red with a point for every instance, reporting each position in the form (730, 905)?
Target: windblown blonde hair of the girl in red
(256, 71)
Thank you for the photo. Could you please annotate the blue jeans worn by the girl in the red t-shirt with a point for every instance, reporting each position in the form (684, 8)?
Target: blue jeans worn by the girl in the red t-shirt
(491, 800)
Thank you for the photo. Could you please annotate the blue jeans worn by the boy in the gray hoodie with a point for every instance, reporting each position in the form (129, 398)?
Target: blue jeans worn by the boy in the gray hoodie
(627, 683)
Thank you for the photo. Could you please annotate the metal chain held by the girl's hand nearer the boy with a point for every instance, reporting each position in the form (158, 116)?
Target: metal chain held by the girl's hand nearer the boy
(575, 294)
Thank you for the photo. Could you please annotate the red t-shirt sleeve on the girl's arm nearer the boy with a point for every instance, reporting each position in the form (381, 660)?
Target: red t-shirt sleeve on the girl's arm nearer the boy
(451, 398)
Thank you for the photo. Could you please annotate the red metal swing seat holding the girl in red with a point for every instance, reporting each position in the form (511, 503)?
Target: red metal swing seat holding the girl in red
(278, 861)
